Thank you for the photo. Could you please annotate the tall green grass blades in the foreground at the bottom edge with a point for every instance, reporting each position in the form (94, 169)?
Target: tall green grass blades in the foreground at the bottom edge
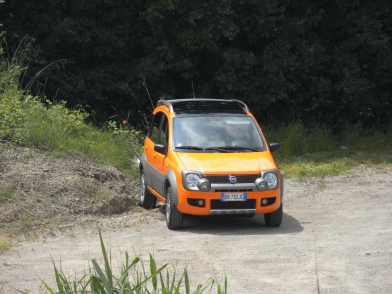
(132, 278)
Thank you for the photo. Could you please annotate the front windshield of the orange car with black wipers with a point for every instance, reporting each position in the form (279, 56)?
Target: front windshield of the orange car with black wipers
(217, 134)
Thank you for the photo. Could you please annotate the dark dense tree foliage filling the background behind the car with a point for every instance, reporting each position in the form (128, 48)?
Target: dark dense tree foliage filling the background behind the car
(323, 61)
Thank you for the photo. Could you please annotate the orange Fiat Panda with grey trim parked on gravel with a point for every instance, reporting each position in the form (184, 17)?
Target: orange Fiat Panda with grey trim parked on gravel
(209, 157)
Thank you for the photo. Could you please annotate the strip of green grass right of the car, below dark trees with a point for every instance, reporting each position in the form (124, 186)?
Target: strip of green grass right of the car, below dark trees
(318, 151)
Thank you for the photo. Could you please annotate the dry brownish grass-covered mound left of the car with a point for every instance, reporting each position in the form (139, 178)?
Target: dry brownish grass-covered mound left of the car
(41, 190)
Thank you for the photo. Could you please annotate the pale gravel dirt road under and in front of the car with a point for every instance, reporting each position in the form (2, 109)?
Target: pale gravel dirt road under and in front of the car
(336, 237)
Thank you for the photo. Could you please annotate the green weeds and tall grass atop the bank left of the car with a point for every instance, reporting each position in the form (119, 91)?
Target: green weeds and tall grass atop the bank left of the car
(37, 122)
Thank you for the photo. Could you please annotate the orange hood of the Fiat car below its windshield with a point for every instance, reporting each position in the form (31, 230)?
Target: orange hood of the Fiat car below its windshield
(227, 162)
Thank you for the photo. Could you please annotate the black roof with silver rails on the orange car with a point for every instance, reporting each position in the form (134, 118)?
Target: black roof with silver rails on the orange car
(205, 105)
